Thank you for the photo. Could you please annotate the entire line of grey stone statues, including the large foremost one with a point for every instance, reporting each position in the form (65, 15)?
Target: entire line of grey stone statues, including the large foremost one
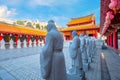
(52, 60)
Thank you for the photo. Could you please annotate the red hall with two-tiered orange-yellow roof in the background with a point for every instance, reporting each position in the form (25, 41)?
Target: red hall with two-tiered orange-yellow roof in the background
(84, 25)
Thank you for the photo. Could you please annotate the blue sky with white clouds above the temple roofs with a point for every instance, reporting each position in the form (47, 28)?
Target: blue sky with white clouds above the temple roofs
(59, 10)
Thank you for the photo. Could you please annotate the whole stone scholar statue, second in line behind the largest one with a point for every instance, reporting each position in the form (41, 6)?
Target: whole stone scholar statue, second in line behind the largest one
(74, 49)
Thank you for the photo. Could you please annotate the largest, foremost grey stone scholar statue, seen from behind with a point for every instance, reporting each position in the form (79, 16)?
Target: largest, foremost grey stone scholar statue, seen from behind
(52, 58)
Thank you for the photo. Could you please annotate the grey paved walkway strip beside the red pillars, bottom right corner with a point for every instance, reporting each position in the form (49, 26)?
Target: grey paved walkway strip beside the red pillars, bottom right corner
(113, 63)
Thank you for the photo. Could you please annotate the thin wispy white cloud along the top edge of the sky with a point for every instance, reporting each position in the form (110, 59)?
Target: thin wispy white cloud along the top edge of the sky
(51, 3)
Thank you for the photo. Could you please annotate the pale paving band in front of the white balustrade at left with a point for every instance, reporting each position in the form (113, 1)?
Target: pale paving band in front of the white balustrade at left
(16, 53)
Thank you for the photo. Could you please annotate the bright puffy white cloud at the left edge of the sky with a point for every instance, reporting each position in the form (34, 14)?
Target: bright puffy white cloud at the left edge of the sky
(4, 12)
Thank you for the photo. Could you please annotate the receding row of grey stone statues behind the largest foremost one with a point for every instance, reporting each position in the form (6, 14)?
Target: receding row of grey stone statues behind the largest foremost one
(82, 50)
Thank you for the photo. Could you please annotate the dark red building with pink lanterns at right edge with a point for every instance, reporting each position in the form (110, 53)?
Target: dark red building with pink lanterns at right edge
(110, 21)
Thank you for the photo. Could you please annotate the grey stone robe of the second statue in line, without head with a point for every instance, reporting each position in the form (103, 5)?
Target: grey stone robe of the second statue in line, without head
(75, 54)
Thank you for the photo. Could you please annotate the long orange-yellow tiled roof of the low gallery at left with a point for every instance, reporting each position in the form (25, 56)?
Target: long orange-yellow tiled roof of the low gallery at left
(6, 28)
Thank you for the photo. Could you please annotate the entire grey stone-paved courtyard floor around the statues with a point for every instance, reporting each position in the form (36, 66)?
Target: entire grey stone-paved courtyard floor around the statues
(23, 64)
